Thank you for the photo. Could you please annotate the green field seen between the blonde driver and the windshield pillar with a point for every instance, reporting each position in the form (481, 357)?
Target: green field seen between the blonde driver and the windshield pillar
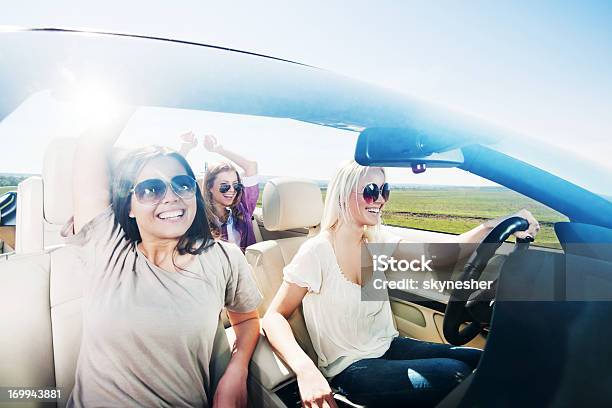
(456, 210)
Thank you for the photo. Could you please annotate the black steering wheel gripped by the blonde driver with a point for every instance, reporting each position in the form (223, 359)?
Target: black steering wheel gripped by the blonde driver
(460, 309)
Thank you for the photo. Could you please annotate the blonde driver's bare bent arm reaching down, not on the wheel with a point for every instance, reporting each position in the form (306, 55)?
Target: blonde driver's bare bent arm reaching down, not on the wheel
(314, 389)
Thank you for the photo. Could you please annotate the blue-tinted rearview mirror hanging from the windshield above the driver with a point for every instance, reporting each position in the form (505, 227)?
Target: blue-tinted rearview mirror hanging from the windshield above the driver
(401, 147)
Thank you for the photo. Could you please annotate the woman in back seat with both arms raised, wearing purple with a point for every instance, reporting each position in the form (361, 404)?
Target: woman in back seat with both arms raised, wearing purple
(231, 198)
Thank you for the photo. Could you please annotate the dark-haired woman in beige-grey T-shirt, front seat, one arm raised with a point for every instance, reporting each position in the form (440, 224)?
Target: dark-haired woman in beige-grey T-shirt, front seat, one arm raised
(155, 283)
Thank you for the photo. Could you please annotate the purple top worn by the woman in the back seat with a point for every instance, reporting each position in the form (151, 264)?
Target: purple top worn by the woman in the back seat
(243, 228)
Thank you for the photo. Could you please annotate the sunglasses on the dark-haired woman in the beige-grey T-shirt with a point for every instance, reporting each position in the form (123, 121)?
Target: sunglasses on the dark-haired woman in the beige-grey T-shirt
(152, 191)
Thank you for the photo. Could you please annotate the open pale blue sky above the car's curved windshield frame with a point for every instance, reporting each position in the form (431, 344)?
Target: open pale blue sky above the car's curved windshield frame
(541, 68)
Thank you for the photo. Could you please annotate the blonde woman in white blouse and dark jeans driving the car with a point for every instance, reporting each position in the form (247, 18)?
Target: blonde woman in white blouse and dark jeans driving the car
(358, 348)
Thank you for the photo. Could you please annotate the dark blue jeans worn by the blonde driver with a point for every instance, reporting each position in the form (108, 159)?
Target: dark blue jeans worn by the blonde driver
(411, 373)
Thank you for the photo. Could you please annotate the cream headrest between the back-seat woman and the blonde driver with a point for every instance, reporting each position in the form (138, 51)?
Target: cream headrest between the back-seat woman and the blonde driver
(291, 203)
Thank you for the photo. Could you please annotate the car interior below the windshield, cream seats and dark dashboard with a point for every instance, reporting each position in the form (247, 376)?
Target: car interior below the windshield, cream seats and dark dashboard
(41, 295)
